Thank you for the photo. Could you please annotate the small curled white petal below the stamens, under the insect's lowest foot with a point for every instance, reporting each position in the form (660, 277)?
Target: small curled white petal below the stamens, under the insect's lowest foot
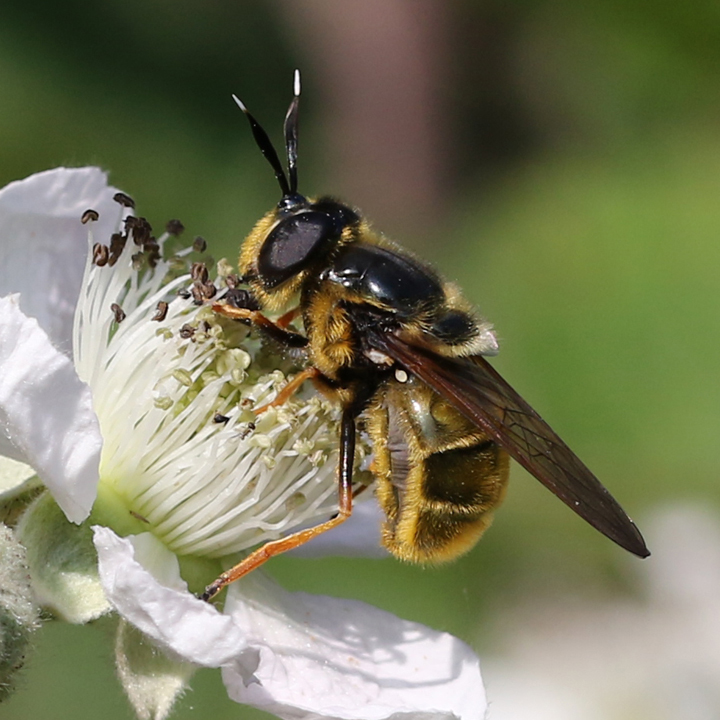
(173, 618)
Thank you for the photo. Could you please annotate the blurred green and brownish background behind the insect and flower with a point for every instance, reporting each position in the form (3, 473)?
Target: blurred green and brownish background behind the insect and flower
(560, 160)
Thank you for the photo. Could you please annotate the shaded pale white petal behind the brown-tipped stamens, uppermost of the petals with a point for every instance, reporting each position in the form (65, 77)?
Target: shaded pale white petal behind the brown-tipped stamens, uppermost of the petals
(43, 244)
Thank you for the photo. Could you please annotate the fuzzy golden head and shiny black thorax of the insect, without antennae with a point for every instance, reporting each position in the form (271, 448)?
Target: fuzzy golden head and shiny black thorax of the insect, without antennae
(348, 281)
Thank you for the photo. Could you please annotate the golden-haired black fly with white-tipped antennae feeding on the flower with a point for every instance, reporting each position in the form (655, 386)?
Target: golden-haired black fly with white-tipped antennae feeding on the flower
(400, 350)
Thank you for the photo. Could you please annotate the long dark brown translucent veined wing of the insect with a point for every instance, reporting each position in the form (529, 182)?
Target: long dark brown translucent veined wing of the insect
(476, 390)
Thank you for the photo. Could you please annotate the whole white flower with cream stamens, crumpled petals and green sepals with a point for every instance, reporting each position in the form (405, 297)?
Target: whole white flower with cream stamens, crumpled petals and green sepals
(148, 425)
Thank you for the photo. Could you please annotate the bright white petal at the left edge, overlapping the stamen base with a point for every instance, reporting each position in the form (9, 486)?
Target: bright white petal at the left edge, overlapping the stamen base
(46, 415)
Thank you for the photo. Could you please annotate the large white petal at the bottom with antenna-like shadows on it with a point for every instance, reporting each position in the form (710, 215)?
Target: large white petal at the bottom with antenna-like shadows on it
(321, 657)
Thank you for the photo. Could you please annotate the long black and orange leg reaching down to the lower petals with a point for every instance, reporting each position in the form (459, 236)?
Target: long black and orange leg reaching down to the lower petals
(275, 547)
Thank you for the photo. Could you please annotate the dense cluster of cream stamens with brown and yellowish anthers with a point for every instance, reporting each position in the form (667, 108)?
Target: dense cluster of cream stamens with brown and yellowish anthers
(174, 387)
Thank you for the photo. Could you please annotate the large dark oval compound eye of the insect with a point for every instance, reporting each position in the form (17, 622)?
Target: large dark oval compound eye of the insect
(295, 244)
